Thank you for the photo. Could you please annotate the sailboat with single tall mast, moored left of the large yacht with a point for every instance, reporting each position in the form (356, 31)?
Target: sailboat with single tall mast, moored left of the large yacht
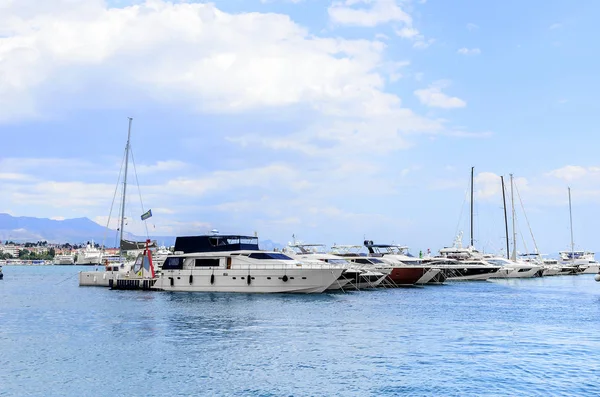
(125, 274)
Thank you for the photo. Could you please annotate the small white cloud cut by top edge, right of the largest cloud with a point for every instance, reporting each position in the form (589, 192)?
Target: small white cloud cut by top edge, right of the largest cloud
(371, 13)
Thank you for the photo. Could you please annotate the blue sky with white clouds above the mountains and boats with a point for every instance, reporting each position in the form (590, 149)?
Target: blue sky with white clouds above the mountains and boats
(331, 121)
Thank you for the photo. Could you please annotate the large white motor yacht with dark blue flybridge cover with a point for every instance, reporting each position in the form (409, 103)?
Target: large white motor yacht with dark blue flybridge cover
(234, 263)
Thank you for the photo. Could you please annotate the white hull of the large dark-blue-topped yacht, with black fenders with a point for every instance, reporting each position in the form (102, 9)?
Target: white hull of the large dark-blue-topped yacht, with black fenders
(236, 280)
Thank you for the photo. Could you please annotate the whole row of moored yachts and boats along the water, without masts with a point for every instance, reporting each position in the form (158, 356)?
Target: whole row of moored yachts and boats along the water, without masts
(234, 263)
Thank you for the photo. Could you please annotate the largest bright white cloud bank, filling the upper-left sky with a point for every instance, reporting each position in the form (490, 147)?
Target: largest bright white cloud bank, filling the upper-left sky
(183, 53)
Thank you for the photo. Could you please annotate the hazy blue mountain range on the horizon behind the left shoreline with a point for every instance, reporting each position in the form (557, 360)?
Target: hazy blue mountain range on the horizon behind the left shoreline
(23, 229)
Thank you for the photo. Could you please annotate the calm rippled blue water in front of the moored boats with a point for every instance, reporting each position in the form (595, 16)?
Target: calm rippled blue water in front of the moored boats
(521, 337)
